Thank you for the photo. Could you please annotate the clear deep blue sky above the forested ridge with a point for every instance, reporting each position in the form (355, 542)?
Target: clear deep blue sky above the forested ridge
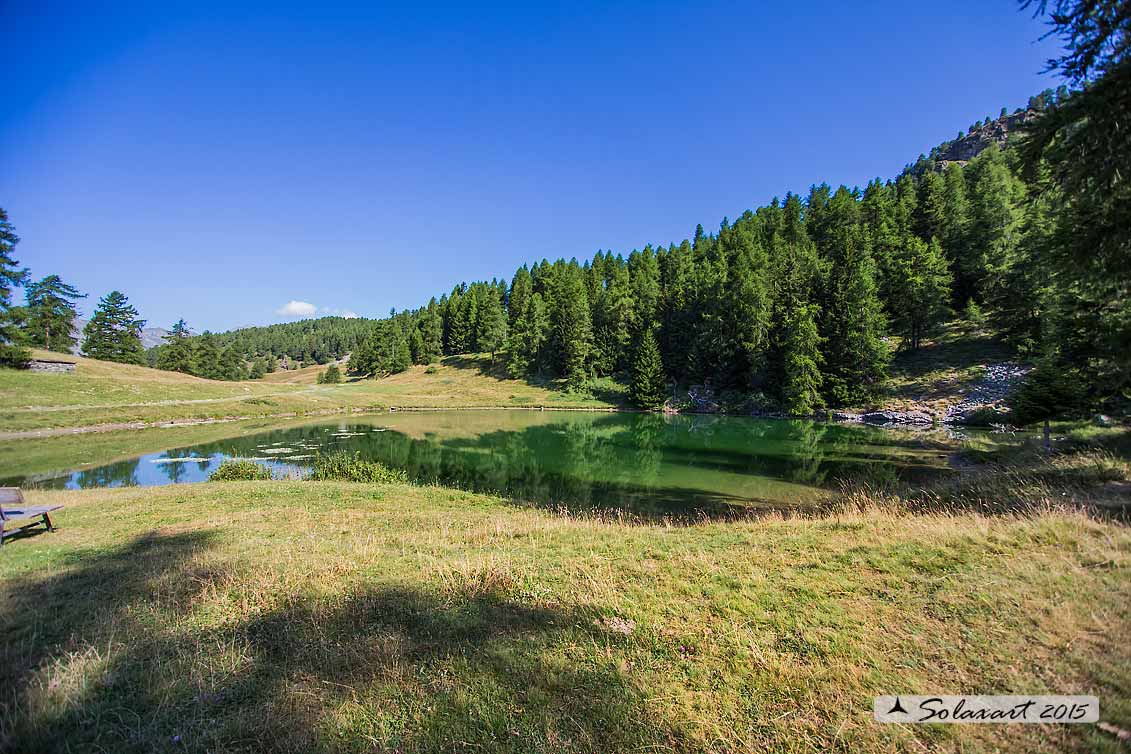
(217, 161)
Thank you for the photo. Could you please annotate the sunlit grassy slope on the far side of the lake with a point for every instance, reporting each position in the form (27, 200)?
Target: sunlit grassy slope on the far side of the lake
(101, 393)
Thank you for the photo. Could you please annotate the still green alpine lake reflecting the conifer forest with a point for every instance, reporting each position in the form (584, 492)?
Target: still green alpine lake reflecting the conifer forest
(644, 464)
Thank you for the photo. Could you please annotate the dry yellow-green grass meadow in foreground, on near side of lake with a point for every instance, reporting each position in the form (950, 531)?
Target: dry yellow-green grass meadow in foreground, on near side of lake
(333, 617)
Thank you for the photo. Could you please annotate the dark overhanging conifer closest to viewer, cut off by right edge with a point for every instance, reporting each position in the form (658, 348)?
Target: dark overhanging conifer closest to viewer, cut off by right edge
(1081, 142)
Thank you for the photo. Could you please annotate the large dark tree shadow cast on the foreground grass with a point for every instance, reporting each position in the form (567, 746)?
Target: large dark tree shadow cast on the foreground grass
(126, 653)
